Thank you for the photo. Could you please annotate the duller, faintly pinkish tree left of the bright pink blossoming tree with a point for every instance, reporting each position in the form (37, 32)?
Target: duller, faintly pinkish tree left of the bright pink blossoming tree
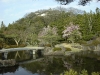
(48, 35)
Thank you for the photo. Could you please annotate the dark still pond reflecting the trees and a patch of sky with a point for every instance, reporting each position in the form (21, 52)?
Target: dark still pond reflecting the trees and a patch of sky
(52, 64)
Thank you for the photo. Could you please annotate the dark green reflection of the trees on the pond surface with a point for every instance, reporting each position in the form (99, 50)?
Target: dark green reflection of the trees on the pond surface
(58, 64)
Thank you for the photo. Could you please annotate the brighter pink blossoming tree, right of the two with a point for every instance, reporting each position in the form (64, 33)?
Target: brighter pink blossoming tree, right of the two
(71, 32)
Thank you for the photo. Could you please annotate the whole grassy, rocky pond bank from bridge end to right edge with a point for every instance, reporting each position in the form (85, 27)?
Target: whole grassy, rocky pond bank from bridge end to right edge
(74, 48)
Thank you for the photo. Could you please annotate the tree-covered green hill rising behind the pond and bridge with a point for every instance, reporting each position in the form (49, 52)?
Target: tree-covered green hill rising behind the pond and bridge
(47, 26)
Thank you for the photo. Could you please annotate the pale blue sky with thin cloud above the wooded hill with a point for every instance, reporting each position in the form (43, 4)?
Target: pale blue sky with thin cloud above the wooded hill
(12, 10)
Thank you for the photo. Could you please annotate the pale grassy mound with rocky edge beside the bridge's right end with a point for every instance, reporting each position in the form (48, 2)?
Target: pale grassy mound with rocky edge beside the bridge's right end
(64, 46)
